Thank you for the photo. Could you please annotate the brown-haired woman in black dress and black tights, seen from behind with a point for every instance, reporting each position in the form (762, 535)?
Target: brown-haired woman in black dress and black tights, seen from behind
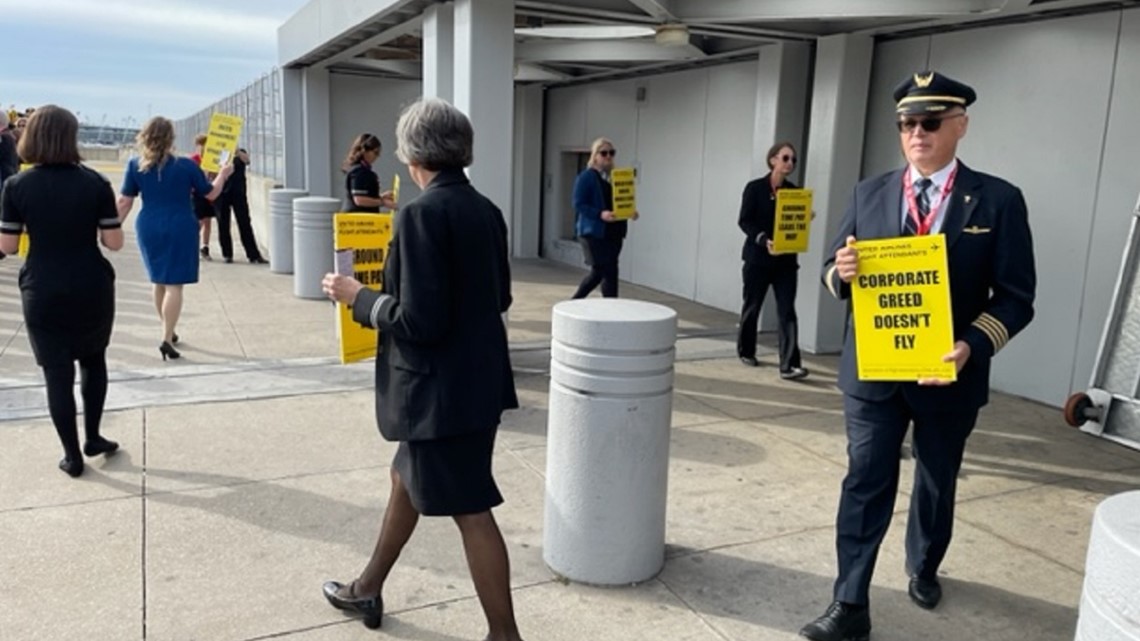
(67, 286)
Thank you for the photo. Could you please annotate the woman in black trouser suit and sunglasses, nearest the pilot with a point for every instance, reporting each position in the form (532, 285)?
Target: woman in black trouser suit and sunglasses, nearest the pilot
(766, 269)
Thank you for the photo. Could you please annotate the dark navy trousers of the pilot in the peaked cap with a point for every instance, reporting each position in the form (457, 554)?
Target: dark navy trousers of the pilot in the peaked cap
(875, 437)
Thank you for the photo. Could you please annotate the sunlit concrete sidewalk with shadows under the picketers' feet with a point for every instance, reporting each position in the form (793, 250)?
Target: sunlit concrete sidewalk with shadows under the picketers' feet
(253, 472)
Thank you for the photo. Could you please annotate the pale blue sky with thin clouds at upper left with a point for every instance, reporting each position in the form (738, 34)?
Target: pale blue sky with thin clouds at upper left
(120, 62)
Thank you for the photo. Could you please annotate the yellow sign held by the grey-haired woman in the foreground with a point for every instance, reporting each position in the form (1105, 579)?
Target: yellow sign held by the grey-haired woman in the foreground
(361, 246)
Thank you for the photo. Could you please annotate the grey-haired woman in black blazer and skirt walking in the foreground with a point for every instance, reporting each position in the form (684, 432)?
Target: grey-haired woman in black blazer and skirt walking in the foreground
(443, 369)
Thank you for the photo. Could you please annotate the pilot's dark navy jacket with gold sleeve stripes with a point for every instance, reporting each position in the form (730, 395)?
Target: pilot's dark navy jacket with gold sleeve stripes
(992, 278)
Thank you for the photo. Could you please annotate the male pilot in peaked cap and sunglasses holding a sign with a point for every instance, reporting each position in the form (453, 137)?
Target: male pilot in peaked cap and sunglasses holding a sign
(992, 285)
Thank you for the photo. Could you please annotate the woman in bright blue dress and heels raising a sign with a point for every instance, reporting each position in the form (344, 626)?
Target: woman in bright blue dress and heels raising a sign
(167, 229)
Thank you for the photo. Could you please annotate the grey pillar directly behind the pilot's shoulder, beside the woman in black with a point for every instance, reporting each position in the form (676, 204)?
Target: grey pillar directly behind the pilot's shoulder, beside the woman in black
(835, 159)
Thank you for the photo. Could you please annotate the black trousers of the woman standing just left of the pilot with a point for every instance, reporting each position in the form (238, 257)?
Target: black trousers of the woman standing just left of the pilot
(759, 278)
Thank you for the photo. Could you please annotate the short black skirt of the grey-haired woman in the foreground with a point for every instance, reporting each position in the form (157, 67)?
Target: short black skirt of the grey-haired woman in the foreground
(451, 476)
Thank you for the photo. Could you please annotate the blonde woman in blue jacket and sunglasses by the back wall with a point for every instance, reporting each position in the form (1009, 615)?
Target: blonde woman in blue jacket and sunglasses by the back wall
(599, 232)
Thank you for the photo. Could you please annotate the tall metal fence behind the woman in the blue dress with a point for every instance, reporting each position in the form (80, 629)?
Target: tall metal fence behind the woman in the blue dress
(259, 106)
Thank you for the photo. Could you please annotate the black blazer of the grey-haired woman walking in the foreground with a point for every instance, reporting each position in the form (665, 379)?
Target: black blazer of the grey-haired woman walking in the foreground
(443, 368)
